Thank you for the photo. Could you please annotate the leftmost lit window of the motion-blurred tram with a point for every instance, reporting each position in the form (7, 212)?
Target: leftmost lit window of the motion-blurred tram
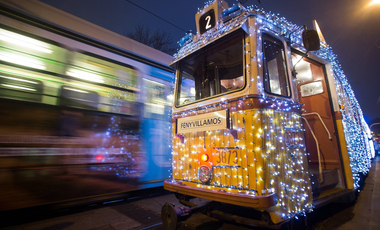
(29, 66)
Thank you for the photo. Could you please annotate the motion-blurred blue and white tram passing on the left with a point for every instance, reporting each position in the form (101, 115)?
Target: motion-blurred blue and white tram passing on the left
(84, 112)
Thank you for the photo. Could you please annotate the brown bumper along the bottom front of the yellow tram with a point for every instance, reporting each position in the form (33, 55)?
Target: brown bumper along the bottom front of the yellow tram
(246, 200)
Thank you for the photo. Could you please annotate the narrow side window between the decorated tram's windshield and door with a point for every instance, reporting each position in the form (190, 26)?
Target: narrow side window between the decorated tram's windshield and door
(275, 74)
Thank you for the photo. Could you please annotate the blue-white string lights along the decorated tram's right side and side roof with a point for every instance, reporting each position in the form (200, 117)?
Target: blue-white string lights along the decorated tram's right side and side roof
(353, 121)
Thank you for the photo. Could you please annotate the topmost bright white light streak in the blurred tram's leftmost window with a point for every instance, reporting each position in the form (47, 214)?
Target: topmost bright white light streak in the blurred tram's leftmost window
(24, 41)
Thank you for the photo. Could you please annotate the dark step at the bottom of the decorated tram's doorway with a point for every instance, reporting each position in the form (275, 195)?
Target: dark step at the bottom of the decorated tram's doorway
(330, 180)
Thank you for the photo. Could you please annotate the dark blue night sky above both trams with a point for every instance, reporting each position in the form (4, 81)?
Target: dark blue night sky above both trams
(350, 27)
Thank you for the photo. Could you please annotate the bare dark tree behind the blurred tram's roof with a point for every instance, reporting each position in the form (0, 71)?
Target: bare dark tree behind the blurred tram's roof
(160, 40)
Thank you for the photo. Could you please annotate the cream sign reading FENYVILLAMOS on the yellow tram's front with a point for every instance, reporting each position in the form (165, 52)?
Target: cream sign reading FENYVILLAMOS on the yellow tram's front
(205, 122)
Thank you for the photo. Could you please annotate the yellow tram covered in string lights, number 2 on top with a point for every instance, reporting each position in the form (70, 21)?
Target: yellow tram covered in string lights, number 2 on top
(263, 118)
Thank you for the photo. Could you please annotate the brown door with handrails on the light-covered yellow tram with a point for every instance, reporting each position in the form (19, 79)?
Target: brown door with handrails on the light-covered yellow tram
(317, 111)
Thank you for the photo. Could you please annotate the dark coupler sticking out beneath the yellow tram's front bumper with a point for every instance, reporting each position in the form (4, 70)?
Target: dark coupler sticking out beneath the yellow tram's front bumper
(171, 217)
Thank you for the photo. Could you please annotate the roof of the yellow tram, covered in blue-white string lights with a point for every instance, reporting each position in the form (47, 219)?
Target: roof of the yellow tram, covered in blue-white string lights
(267, 21)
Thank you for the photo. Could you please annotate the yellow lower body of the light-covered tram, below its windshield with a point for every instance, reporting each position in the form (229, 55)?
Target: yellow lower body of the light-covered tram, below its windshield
(239, 165)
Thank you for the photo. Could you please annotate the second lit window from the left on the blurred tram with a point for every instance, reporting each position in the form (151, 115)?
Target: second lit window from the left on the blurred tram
(102, 85)
